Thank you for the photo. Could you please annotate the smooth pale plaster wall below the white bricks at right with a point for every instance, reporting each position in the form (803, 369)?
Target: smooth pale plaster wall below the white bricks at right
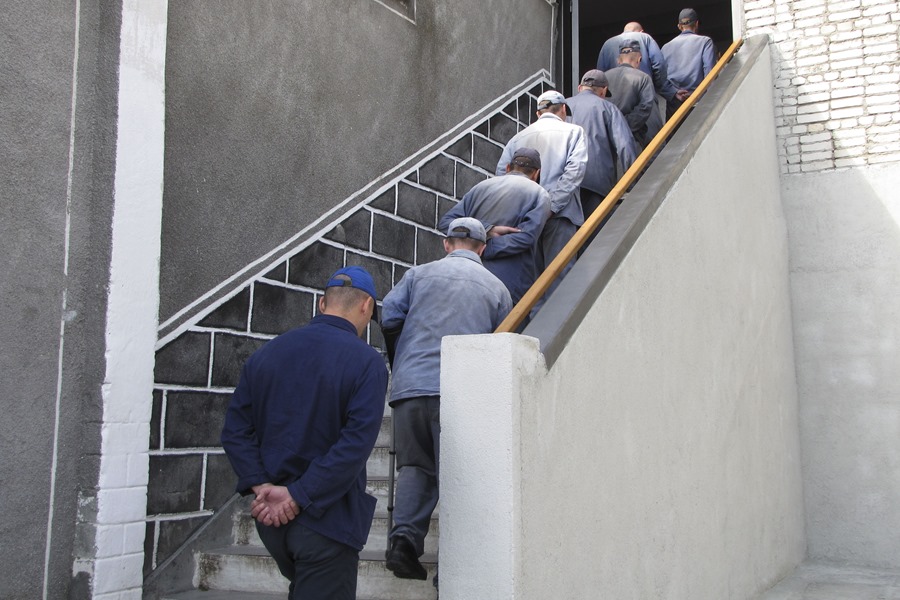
(844, 235)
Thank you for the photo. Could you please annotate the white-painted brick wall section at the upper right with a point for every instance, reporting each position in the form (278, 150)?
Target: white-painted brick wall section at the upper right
(837, 80)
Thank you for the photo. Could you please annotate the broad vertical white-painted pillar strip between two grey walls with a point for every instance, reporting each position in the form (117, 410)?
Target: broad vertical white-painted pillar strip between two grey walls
(133, 296)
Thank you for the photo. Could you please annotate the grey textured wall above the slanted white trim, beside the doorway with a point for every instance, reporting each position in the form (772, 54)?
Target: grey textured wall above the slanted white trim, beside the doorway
(278, 111)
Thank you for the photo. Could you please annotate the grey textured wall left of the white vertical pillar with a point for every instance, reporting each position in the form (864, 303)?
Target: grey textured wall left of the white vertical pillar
(36, 118)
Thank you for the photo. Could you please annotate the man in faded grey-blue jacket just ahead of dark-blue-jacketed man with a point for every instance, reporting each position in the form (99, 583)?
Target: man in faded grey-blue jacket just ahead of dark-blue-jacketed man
(452, 296)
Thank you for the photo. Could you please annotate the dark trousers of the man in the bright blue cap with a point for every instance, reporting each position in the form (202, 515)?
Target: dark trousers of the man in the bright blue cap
(318, 567)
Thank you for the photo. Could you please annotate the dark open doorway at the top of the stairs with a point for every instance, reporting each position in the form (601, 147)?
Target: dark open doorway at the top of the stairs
(599, 21)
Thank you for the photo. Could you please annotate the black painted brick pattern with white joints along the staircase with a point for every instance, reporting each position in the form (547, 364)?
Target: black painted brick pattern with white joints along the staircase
(389, 232)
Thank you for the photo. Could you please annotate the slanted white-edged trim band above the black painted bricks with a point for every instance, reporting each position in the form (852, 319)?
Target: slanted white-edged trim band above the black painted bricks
(334, 216)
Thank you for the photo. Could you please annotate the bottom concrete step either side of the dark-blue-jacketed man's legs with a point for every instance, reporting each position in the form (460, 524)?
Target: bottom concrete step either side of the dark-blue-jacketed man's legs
(249, 569)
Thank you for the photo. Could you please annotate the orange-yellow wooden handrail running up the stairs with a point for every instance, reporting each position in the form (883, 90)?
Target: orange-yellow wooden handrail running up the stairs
(534, 293)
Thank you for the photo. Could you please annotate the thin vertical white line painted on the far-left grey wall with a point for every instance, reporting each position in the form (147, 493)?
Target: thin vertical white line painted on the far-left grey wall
(64, 316)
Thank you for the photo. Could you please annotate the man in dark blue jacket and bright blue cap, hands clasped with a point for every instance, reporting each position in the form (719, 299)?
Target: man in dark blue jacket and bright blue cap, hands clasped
(301, 424)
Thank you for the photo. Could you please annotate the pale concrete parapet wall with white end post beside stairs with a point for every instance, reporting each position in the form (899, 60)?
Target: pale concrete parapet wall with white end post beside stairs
(658, 456)
